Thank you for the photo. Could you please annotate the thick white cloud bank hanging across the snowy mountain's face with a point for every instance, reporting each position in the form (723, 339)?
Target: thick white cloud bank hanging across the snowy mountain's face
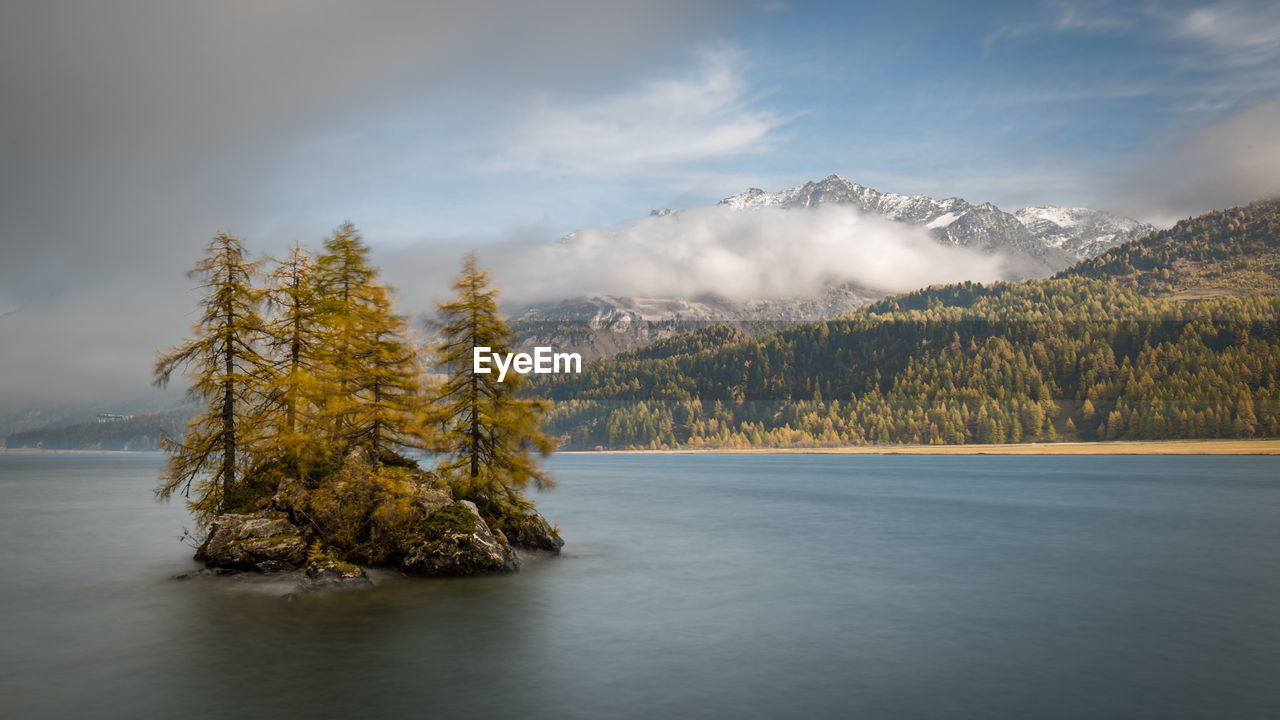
(719, 252)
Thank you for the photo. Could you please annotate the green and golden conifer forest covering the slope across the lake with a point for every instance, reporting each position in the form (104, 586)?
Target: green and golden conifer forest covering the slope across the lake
(1174, 336)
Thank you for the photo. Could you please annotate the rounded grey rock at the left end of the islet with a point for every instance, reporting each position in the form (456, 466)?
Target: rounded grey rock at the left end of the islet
(264, 541)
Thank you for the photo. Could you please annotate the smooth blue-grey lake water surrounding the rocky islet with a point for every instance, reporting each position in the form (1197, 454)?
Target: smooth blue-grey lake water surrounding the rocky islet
(691, 587)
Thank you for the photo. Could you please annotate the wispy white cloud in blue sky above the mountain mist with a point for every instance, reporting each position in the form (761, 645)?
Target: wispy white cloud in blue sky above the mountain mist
(660, 126)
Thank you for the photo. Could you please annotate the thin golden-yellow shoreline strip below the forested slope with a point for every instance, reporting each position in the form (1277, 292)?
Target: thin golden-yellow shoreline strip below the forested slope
(1118, 448)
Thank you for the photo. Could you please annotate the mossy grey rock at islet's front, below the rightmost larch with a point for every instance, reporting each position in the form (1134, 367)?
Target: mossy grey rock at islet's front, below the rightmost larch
(456, 541)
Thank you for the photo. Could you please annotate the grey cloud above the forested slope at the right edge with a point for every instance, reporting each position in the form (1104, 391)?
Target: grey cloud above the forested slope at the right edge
(1228, 163)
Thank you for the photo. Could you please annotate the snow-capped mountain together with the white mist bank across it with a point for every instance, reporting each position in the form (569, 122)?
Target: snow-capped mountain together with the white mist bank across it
(761, 261)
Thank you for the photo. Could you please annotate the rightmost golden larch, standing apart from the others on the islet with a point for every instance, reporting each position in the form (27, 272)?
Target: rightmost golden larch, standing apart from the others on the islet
(490, 431)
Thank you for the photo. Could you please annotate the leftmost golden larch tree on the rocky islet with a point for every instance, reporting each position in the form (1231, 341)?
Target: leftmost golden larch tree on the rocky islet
(227, 372)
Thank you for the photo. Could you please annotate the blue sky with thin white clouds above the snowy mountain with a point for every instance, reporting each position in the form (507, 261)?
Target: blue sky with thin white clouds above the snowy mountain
(1060, 103)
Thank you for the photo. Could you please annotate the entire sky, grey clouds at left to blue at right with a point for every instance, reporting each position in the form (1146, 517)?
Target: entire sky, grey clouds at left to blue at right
(134, 131)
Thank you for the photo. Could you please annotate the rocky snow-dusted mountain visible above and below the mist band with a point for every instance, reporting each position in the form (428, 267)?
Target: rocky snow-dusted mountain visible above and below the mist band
(1034, 243)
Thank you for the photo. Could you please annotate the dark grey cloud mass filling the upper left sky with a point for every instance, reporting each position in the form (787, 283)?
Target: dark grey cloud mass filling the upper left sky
(132, 131)
